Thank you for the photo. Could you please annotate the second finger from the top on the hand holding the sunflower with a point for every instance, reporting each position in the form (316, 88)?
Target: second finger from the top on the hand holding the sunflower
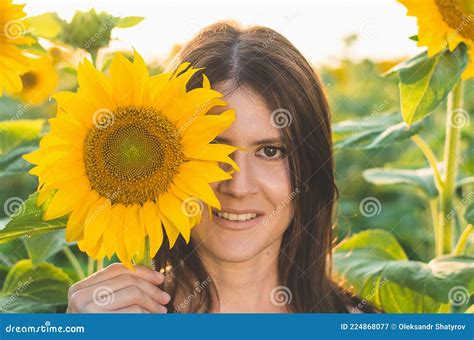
(100, 291)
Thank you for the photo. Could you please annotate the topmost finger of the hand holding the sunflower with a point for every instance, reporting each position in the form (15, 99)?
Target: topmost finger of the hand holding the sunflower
(114, 270)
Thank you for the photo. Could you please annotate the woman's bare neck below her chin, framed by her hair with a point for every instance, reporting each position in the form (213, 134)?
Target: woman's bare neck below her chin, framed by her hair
(245, 287)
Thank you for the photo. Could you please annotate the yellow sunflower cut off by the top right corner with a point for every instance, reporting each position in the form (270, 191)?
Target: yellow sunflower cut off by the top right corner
(444, 23)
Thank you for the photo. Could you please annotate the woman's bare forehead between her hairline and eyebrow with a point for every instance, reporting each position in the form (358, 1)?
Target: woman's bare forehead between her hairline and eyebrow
(253, 116)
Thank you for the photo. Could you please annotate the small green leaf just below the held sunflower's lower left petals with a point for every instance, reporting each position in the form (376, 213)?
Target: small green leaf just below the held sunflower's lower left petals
(42, 247)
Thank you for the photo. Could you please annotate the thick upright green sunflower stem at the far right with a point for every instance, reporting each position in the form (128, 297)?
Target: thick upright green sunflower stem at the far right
(451, 151)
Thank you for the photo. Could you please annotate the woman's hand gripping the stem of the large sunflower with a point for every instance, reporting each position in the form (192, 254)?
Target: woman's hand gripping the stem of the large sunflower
(116, 289)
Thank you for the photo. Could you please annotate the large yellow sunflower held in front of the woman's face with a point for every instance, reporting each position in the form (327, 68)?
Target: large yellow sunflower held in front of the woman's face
(130, 153)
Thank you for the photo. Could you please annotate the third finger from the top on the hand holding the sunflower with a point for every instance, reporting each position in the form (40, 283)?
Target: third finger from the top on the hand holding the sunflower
(128, 296)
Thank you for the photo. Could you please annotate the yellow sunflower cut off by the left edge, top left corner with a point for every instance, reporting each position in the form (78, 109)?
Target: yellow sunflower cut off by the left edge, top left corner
(13, 62)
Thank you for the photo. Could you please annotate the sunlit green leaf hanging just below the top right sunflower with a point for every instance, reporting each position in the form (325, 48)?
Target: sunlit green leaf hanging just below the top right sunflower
(425, 82)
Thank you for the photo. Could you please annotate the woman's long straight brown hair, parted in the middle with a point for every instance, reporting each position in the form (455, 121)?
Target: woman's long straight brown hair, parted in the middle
(269, 64)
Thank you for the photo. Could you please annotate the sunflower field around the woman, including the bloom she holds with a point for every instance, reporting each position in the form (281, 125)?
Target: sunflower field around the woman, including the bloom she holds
(403, 142)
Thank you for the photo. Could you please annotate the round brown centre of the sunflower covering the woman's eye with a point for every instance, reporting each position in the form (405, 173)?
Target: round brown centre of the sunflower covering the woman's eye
(135, 157)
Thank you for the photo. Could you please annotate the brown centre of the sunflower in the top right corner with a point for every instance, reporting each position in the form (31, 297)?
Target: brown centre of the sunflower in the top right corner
(459, 15)
